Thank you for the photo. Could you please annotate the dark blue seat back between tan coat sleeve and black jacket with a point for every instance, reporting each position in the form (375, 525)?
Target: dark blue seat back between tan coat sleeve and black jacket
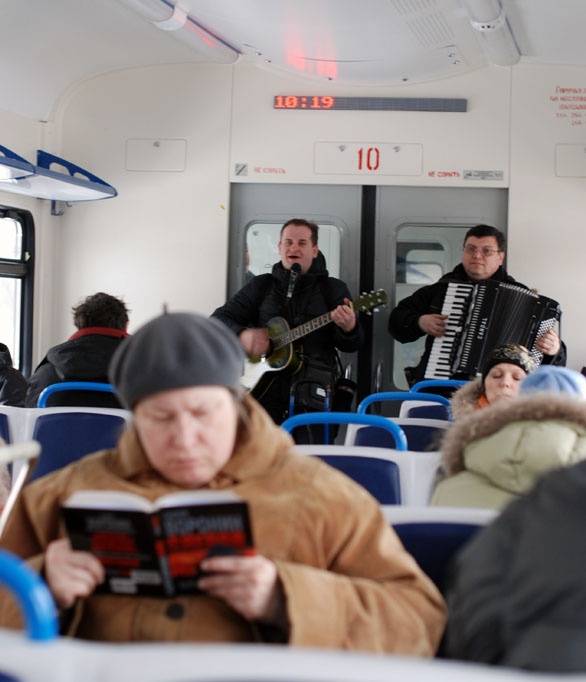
(433, 545)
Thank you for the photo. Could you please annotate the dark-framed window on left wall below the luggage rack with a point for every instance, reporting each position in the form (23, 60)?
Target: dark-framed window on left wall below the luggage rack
(16, 284)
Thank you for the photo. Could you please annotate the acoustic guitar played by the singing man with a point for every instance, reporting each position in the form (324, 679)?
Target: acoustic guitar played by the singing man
(259, 373)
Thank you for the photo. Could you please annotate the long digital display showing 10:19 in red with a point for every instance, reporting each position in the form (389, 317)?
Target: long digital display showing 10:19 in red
(322, 102)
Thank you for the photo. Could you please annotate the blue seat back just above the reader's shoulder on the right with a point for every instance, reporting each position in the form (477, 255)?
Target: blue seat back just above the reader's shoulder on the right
(380, 477)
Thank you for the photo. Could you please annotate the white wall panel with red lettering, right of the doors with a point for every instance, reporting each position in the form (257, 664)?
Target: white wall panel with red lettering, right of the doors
(547, 237)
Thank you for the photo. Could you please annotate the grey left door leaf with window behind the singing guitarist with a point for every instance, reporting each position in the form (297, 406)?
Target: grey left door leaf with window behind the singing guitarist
(257, 213)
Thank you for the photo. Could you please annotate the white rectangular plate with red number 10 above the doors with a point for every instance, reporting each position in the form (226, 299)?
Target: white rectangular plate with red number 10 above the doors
(368, 158)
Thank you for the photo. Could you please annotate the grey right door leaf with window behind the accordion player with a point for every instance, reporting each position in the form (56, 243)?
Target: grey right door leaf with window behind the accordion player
(419, 234)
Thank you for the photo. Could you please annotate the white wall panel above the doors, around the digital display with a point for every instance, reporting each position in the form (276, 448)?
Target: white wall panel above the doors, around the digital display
(279, 145)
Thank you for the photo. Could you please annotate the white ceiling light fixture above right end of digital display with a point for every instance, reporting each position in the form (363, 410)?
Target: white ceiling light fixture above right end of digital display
(488, 18)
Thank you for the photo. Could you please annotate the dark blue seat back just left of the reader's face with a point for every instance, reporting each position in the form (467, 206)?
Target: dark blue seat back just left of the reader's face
(67, 436)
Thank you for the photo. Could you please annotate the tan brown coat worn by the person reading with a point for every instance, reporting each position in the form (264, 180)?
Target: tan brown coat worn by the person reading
(347, 580)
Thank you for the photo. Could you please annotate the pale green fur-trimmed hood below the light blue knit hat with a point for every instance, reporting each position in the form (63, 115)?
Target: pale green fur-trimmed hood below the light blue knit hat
(511, 443)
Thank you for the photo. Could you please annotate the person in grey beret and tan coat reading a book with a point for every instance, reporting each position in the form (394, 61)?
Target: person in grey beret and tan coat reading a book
(327, 569)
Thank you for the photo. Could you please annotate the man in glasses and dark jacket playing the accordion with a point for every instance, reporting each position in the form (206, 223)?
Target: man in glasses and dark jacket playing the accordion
(420, 314)
